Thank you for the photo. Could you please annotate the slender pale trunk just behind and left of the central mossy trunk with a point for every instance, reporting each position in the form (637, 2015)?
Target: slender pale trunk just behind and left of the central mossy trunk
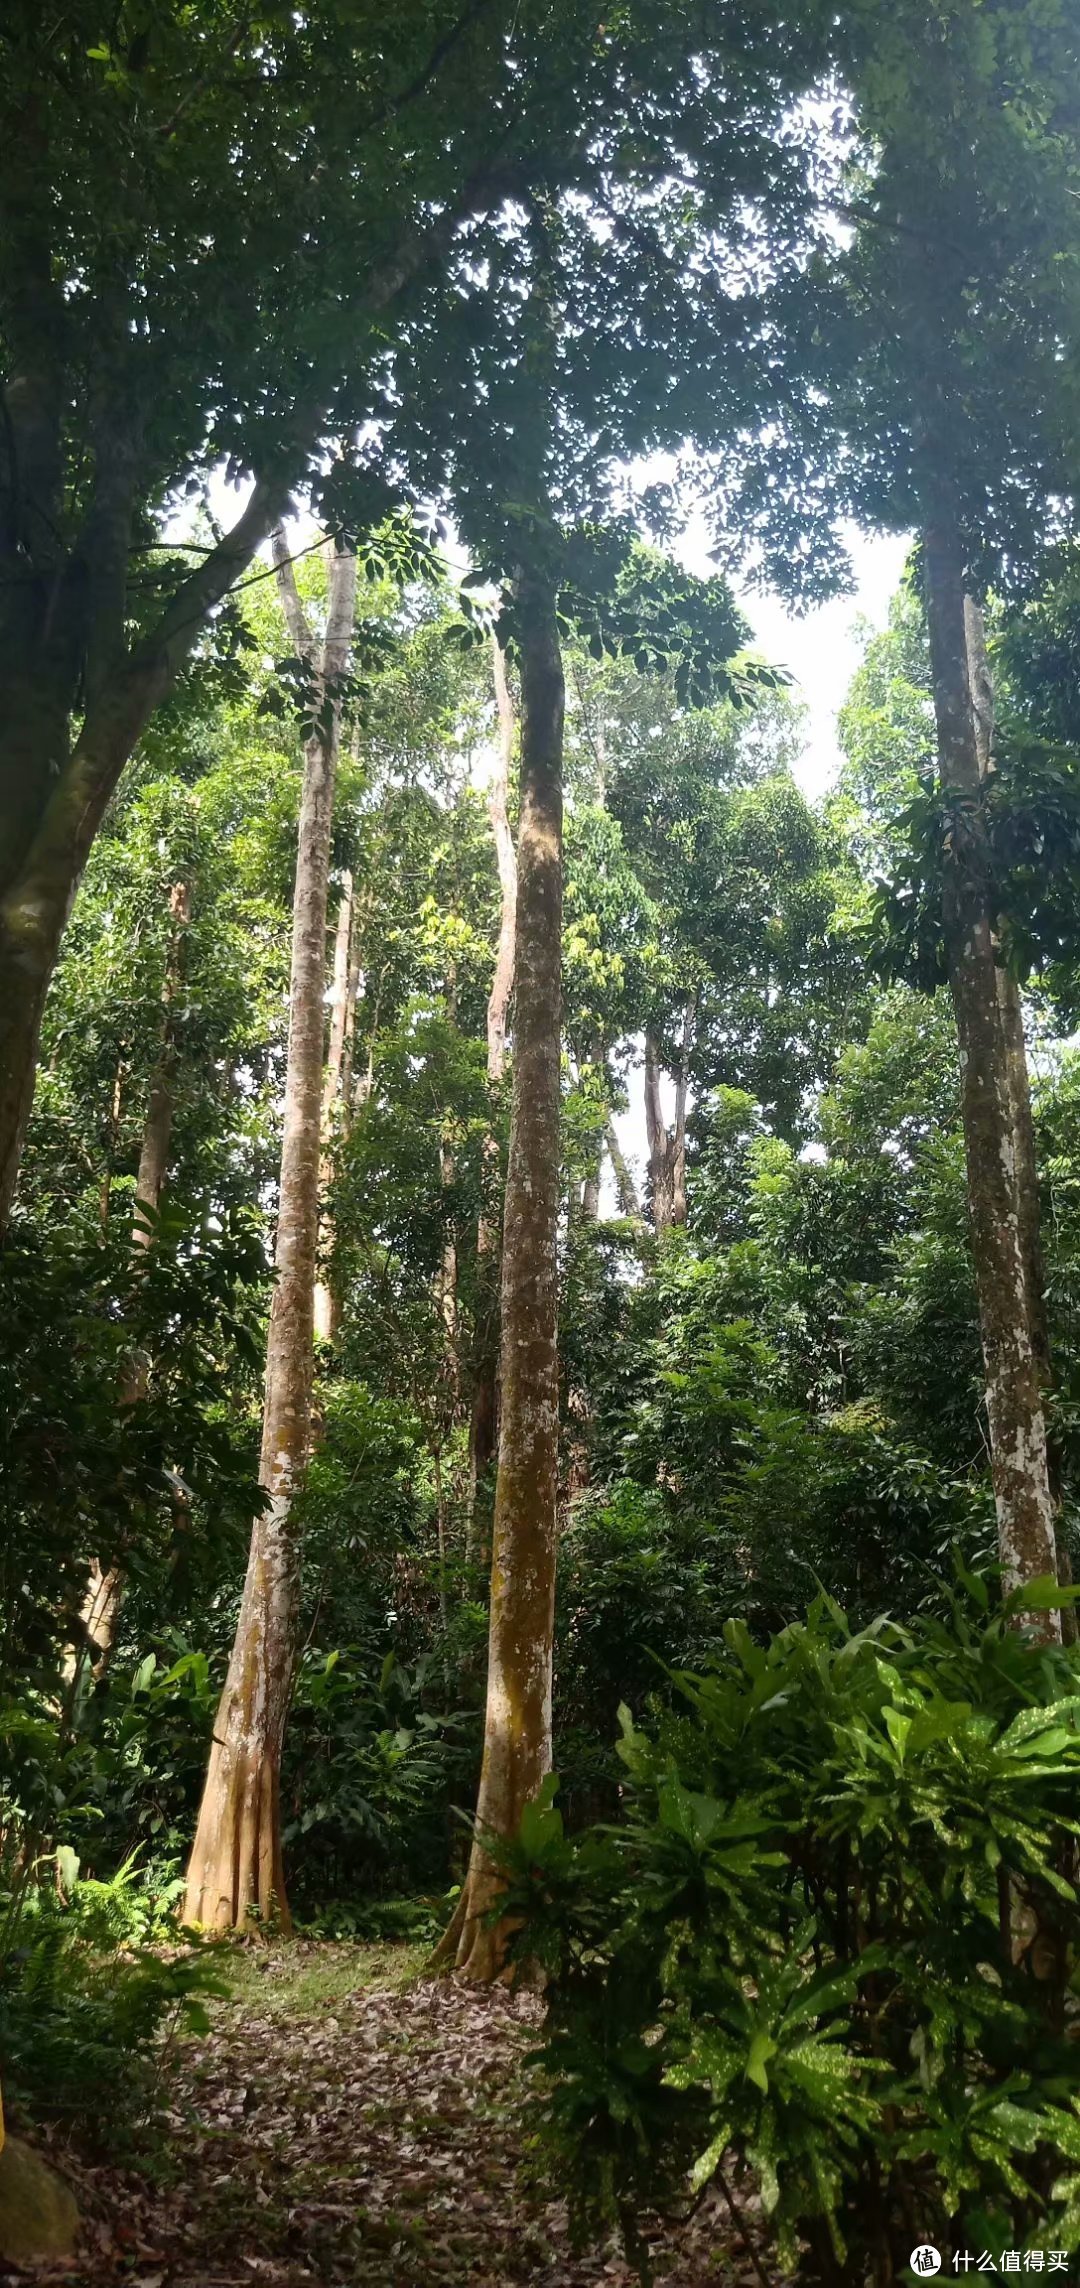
(484, 1415)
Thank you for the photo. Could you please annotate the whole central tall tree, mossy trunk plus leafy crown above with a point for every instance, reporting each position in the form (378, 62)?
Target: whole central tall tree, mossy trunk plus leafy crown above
(518, 392)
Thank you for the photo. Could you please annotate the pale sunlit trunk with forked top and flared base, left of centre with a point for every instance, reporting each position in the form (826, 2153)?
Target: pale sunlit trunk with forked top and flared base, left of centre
(237, 1859)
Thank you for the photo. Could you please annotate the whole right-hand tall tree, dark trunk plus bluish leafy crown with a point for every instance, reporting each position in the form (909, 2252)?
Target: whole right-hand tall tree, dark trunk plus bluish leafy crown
(953, 415)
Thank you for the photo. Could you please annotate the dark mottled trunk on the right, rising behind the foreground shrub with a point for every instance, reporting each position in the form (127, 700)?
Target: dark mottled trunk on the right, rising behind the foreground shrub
(1010, 1346)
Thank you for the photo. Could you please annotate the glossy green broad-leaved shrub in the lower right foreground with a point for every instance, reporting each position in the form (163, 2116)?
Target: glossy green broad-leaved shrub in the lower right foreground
(832, 1941)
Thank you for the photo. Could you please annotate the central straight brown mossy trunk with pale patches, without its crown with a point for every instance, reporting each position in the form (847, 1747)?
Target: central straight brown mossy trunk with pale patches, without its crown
(518, 1722)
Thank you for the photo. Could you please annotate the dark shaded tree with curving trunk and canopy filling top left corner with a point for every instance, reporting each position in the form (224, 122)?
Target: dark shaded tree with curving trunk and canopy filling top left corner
(264, 196)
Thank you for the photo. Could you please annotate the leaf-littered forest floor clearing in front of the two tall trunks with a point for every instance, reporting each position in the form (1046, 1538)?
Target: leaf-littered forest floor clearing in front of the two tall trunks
(351, 2124)
